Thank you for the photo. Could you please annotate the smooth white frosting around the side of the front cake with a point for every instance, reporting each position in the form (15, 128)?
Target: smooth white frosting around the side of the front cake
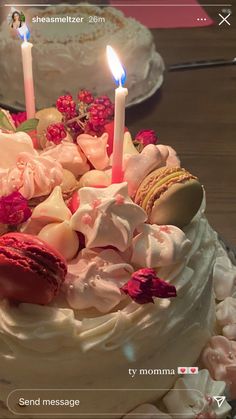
(47, 347)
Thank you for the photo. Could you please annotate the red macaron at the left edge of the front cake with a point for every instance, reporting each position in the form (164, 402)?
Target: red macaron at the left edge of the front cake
(31, 271)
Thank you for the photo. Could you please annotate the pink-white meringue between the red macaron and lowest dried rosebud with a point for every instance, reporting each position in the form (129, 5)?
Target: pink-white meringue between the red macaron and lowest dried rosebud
(94, 280)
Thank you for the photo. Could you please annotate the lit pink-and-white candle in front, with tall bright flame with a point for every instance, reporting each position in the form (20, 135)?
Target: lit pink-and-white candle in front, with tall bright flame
(119, 118)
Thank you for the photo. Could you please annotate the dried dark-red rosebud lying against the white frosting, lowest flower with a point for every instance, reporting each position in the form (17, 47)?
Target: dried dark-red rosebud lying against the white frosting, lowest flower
(144, 285)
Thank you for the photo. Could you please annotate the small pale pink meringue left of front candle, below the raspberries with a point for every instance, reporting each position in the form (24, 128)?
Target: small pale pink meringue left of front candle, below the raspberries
(95, 149)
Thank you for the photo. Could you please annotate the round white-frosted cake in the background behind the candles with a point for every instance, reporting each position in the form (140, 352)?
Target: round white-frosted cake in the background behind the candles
(67, 54)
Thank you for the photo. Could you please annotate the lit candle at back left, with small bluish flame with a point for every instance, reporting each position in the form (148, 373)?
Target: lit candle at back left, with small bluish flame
(27, 71)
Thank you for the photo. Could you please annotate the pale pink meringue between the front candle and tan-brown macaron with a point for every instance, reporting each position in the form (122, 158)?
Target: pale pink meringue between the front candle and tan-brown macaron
(141, 165)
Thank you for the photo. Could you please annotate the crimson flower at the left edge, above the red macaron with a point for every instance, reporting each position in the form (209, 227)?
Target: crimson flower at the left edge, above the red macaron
(14, 209)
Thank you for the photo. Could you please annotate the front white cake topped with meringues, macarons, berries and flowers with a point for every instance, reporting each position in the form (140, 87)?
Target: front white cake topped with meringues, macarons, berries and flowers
(109, 286)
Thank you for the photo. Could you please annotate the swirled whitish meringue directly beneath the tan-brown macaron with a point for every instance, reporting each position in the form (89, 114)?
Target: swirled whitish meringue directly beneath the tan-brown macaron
(157, 246)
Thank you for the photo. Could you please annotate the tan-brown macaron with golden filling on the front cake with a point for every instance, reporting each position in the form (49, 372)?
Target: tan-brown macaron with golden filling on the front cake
(170, 195)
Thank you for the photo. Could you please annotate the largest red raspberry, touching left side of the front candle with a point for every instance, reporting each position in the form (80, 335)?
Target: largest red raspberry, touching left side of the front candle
(100, 112)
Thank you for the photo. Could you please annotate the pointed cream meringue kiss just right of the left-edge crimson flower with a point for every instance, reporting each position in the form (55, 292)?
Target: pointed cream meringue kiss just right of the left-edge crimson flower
(53, 209)
